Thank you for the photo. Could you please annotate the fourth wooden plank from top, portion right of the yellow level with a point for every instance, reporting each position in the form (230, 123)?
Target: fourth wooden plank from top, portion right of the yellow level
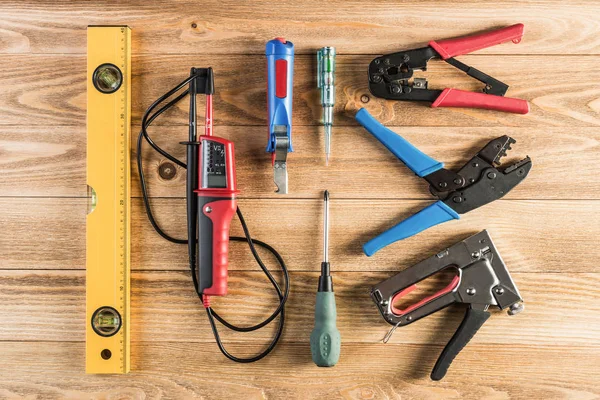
(550, 225)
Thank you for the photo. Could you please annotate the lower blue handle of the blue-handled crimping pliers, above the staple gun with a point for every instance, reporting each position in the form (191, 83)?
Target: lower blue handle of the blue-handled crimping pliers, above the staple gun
(431, 215)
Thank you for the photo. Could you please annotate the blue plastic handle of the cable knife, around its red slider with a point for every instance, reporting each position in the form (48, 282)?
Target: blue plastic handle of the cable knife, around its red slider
(279, 107)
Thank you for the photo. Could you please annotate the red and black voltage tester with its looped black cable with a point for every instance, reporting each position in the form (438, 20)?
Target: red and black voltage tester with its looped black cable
(211, 196)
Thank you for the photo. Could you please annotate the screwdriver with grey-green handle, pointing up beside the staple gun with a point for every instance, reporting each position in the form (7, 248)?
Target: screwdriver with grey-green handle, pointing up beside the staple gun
(325, 338)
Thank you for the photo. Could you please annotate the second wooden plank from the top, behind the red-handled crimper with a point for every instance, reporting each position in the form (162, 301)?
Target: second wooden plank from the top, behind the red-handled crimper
(56, 94)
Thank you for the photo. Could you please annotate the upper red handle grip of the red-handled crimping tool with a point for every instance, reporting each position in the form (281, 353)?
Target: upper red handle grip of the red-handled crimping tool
(464, 45)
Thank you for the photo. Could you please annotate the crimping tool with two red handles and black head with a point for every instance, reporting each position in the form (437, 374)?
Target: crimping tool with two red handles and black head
(389, 75)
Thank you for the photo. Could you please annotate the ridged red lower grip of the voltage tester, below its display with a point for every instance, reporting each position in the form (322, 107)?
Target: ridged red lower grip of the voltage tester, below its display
(221, 214)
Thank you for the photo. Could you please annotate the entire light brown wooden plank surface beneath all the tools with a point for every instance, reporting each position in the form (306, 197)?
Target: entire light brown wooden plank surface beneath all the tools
(546, 229)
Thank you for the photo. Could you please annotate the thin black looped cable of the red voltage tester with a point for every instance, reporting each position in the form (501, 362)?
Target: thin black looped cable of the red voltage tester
(147, 120)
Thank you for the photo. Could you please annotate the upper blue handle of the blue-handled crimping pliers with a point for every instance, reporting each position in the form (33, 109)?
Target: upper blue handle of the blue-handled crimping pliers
(419, 162)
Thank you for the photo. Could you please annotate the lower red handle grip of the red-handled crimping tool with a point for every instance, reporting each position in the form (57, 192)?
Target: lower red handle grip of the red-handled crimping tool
(461, 98)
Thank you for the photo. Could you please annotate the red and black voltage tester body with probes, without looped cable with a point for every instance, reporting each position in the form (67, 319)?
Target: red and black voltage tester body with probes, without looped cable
(212, 201)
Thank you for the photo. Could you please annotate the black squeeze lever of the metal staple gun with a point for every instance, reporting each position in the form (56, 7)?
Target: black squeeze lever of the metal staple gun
(471, 323)
